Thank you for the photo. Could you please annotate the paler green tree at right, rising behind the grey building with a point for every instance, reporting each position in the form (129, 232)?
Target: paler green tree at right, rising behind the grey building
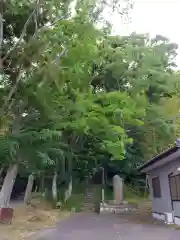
(143, 68)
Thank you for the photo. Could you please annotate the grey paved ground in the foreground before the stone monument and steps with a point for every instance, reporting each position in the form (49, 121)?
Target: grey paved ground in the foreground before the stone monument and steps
(111, 227)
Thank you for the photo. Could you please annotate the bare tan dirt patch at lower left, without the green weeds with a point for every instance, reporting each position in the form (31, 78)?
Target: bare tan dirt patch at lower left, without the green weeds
(29, 219)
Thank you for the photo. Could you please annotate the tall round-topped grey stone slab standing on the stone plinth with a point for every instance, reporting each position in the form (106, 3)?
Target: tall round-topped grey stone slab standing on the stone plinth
(118, 189)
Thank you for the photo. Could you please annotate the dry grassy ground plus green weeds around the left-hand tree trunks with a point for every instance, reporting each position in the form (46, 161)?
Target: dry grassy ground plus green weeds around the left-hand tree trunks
(41, 214)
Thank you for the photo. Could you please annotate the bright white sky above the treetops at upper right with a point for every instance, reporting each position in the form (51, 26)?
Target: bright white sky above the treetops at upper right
(153, 17)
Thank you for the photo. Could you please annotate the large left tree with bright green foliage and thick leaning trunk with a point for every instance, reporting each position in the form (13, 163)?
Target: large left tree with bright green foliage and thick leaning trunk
(46, 58)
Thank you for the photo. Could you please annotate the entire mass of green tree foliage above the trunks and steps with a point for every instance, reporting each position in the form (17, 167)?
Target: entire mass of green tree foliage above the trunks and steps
(74, 97)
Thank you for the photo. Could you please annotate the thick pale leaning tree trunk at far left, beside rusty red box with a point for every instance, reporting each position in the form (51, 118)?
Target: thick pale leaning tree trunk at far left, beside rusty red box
(6, 190)
